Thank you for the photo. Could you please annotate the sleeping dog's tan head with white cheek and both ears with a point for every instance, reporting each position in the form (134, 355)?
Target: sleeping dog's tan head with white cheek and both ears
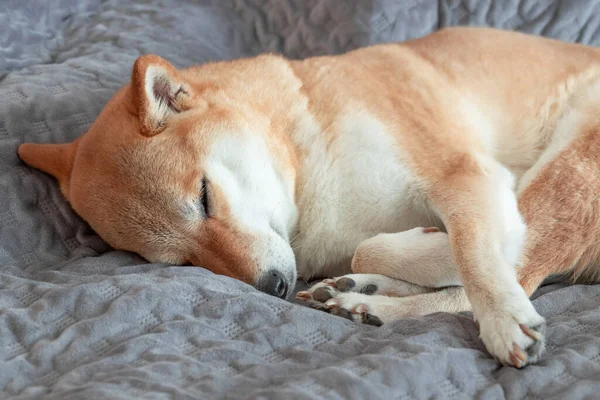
(188, 167)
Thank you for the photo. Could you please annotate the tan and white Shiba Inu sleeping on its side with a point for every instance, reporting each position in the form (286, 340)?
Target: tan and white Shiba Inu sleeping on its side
(265, 169)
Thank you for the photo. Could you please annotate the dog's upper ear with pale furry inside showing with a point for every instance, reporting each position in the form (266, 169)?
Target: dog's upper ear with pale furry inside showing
(158, 92)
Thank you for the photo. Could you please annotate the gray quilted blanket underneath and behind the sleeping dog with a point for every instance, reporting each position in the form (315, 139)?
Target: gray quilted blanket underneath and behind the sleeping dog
(79, 320)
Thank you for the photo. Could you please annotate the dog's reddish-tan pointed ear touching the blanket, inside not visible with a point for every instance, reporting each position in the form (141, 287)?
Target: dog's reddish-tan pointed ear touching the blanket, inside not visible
(54, 159)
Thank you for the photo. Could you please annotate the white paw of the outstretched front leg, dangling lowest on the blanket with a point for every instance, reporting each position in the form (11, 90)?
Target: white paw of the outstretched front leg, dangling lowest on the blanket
(513, 339)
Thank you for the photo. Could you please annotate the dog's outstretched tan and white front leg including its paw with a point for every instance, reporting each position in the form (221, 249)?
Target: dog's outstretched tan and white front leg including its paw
(486, 231)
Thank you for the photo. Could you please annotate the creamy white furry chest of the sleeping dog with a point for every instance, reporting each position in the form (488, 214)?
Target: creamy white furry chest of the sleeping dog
(356, 186)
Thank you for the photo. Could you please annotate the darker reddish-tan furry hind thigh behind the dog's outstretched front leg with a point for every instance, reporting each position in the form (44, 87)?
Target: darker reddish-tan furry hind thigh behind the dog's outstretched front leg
(562, 208)
